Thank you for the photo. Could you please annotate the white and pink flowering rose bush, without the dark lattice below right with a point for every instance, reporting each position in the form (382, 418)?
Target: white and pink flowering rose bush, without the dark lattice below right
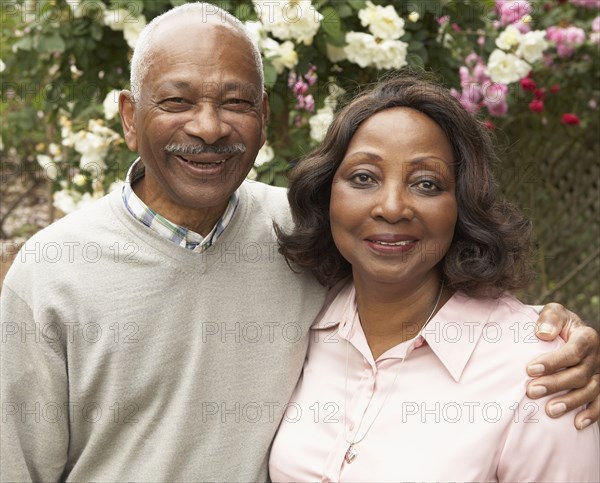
(63, 63)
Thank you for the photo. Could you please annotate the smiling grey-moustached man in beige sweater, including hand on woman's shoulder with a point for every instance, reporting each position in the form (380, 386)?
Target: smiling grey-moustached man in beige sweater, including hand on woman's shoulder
(165, 341)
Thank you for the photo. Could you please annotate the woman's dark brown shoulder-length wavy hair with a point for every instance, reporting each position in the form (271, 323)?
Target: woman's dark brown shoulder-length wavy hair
(490, 249)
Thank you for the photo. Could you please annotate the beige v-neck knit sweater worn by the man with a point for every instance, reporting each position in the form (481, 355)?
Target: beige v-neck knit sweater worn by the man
(126, 358)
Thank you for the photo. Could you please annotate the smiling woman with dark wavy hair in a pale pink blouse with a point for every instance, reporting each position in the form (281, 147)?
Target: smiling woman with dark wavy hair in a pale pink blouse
(414, 370)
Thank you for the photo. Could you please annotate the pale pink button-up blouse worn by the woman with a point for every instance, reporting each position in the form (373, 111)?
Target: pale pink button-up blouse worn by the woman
(454, 410)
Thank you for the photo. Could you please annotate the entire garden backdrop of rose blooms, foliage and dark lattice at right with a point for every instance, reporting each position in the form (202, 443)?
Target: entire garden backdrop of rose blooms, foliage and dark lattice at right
(530, 70)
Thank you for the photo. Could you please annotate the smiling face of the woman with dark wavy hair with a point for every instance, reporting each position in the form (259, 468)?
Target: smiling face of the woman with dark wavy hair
(393, 203)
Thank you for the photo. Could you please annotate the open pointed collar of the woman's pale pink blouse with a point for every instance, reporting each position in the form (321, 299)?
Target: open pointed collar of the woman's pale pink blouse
(452, 333)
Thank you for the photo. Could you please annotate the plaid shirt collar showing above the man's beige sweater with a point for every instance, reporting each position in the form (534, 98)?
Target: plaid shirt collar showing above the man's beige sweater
(177, 234)
